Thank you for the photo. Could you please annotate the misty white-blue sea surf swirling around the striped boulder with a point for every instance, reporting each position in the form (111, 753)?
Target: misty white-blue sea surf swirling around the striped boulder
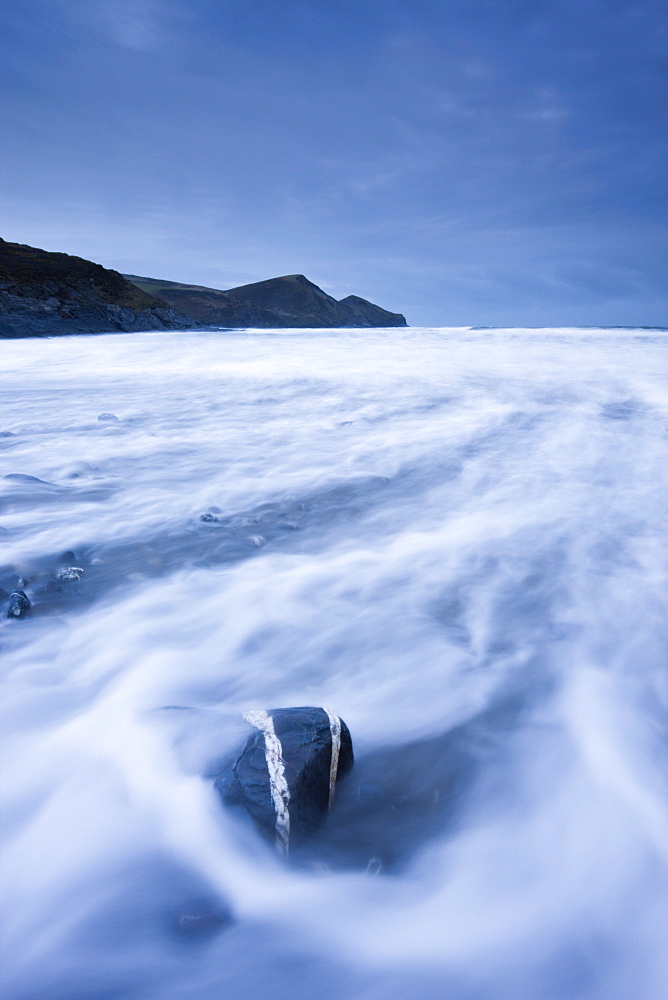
(456, 540)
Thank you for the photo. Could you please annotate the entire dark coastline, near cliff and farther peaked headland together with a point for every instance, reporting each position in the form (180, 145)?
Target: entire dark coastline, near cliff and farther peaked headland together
(47, 294)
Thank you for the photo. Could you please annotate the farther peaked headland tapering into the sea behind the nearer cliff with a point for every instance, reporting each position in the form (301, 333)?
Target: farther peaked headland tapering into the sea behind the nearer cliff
(288, 301)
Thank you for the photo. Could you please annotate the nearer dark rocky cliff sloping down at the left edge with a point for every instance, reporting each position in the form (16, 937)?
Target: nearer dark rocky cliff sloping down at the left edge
(44, 294)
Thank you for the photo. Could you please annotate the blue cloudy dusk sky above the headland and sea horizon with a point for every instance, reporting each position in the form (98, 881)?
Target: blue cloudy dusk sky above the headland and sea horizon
(465, 162)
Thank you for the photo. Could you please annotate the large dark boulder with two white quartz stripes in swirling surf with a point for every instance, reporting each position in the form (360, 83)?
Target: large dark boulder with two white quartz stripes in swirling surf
(287, 773)
